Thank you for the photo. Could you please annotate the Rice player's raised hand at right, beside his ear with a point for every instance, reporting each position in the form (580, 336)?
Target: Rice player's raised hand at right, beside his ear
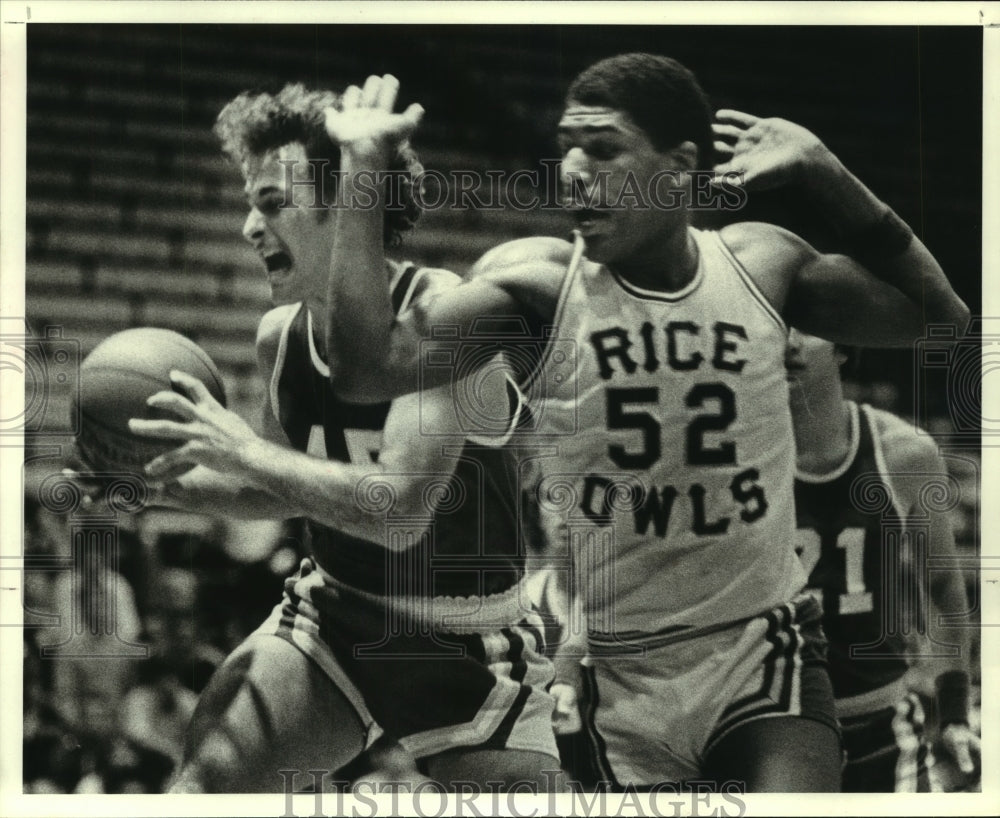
(768, 153)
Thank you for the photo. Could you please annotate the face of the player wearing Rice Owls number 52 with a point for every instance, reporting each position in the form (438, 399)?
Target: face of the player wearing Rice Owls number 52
(614, 183)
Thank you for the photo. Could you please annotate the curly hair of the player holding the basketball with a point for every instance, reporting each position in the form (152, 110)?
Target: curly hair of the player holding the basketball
(256, 122)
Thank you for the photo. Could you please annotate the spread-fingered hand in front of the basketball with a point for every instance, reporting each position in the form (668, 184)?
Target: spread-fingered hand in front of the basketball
(211, 435)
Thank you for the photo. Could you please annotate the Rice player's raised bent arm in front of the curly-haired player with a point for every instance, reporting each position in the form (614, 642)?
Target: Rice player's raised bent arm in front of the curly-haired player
(375, 355)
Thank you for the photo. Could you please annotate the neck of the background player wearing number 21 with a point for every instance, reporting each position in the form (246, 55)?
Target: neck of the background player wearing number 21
(822, 427)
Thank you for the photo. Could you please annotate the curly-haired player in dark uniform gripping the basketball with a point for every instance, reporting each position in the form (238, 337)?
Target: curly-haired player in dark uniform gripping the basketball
(407, 620)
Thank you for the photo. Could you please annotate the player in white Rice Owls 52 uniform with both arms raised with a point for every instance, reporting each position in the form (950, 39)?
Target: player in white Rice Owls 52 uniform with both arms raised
(671, 419)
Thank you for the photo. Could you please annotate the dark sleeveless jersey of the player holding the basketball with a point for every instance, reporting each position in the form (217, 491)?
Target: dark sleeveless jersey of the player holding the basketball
(472, 547)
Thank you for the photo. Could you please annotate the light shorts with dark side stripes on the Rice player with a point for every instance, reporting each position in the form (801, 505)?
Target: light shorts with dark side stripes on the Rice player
(655, 717)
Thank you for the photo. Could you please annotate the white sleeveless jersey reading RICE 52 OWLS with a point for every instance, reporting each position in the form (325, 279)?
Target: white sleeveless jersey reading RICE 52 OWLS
(673, 482)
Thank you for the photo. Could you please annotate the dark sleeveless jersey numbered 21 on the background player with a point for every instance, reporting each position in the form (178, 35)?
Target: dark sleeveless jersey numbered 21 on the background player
(855, 563)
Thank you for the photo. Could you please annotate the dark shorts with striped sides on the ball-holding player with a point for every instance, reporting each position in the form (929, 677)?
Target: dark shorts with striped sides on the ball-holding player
(434, 674)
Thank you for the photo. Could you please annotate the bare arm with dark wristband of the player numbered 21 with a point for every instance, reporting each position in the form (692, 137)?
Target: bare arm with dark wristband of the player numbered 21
(916, 467)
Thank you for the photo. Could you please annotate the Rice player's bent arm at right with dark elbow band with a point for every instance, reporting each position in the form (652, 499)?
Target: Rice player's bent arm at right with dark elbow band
(889, 284)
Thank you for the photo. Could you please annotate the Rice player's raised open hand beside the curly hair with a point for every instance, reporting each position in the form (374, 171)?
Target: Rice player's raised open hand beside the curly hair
(366, 126)
